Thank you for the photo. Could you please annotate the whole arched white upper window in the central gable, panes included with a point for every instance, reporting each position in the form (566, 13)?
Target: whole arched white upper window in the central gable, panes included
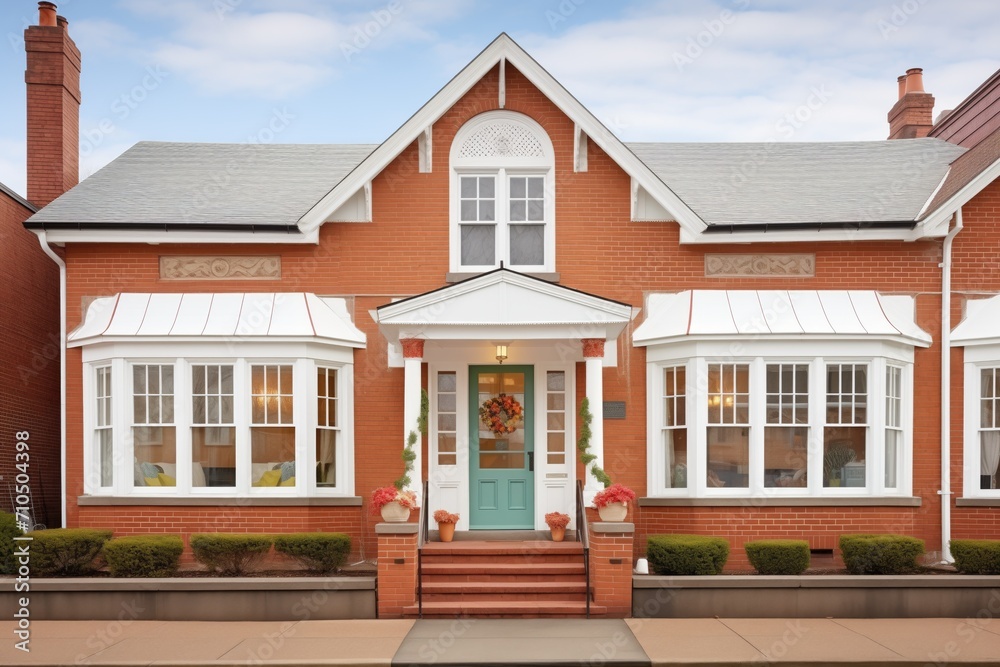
(503, 207)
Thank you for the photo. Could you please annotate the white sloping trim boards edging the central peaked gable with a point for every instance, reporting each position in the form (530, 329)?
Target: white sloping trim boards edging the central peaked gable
(503, 48)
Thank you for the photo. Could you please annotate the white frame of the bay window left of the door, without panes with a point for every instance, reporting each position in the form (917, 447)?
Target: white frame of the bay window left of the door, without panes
(121, 357)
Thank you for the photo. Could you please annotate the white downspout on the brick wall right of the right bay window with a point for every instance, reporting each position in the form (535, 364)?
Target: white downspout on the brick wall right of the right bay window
(945, 491)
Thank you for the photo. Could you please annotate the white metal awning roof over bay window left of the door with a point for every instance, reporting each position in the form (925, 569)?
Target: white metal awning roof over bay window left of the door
(269, 316)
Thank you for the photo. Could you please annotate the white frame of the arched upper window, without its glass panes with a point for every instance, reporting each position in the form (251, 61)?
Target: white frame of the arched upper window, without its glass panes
(502, 169)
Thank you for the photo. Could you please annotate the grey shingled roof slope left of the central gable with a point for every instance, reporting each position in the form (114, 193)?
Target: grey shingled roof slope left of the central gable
(223, 186)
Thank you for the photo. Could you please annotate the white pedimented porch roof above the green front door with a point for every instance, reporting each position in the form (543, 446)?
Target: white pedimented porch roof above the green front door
(503, 304)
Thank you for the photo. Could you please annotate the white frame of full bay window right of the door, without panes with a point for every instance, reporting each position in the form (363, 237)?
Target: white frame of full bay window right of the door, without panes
(695, 357)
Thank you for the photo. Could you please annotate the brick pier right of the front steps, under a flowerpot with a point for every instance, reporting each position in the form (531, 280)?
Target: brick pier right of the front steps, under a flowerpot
(611, 546)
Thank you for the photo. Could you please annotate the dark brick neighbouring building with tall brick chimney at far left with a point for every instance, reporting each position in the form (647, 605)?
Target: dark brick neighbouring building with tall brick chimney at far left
(29, 280)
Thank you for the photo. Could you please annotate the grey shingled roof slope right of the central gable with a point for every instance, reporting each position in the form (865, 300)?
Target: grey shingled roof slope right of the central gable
(842, 184)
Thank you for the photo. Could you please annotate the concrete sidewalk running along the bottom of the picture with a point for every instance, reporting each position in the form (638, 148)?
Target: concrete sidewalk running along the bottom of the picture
(723, 642)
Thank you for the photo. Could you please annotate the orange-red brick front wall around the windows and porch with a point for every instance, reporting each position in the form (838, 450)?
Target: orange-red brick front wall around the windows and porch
(404, 251)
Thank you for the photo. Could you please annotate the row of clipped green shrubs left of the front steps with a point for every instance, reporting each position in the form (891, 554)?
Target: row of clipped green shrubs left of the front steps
(68, 552)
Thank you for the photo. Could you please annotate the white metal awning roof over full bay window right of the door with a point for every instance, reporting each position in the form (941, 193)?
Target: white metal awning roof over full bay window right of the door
(779, 314)
